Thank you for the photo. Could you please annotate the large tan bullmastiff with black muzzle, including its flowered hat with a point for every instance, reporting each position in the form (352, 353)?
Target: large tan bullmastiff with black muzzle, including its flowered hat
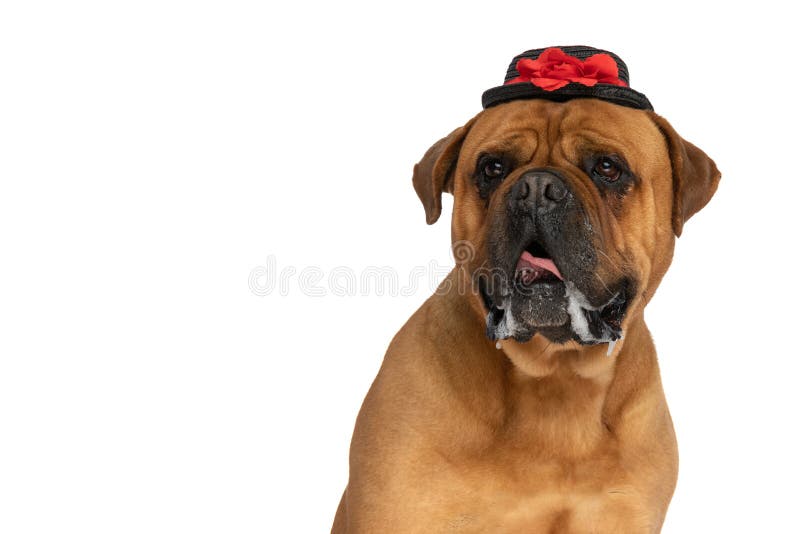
(524, 396)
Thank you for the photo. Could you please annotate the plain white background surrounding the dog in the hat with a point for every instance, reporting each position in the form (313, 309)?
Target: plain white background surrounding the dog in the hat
(152, 154)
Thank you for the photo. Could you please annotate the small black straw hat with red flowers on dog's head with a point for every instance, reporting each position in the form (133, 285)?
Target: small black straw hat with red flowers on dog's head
(567, 72)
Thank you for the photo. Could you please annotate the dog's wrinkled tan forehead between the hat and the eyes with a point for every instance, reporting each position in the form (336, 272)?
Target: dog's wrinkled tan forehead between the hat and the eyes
(523, 128)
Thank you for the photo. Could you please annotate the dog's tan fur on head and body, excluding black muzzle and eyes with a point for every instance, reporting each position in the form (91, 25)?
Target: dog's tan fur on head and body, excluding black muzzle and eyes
(458, 436)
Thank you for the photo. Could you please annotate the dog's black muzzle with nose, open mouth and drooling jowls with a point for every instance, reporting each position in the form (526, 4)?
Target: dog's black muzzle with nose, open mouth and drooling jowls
(543, 276)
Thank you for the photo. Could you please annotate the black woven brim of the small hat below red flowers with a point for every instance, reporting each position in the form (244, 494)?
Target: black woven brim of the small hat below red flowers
(623, 96)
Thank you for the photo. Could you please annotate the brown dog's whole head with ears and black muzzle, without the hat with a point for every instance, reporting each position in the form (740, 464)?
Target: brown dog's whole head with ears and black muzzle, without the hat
(569, 210)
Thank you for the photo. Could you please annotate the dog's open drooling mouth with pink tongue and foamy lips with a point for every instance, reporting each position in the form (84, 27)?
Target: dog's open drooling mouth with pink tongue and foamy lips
(538, 298)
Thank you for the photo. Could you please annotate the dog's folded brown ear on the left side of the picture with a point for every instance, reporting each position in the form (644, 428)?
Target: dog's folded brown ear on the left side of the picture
(434, 172)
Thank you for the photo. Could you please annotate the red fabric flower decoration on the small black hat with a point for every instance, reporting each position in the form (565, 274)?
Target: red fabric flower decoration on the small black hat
(554, 69)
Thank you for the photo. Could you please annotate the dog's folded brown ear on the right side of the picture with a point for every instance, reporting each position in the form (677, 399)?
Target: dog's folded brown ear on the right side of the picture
(694, 175)
